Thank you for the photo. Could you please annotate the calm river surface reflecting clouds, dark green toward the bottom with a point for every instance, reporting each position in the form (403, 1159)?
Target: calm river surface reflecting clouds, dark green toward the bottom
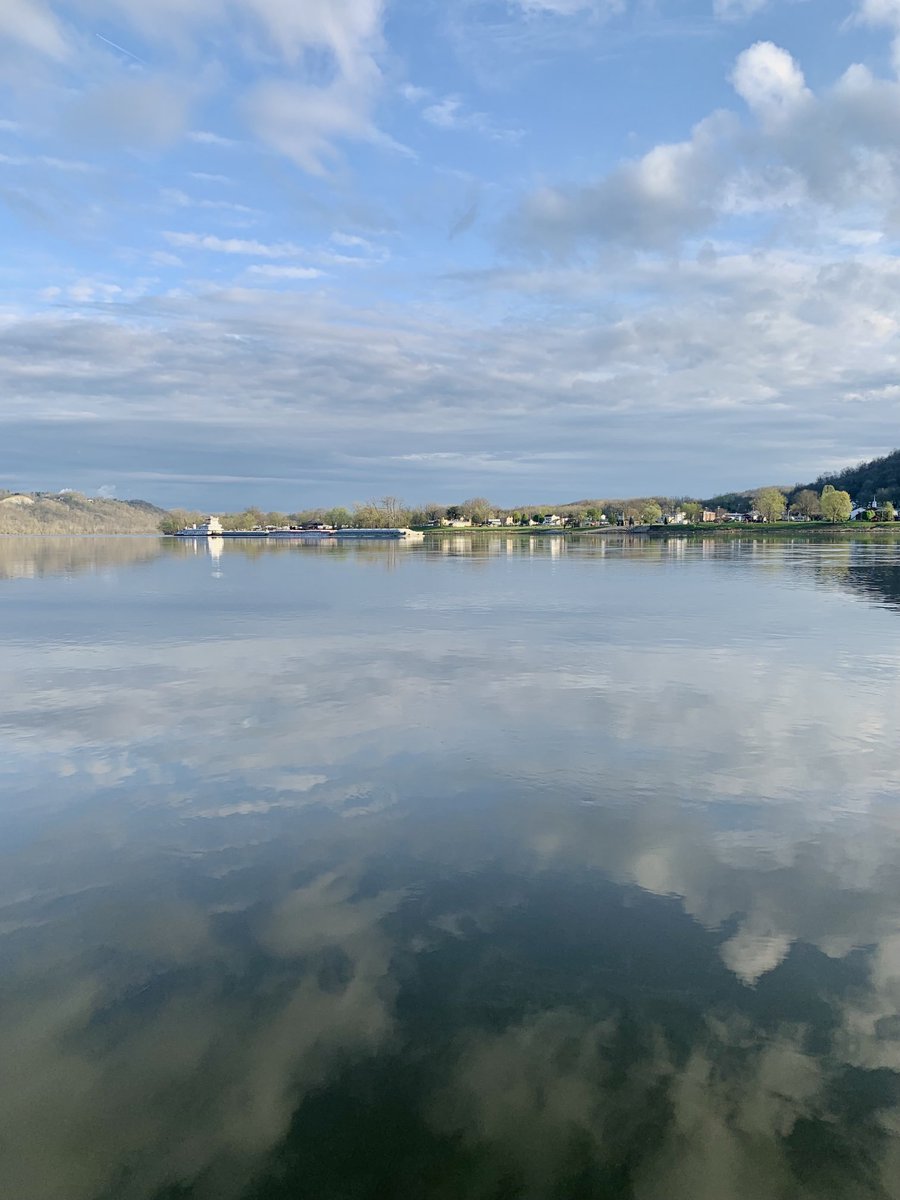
(515, 868)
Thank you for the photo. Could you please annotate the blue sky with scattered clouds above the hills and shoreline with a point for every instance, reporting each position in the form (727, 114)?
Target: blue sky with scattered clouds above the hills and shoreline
(297, 253)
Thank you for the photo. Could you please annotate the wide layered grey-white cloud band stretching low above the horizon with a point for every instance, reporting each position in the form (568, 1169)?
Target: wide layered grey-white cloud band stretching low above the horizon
(709, 352)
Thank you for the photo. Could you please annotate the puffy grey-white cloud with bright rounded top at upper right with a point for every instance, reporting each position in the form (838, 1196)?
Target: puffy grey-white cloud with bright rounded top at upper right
(811, 160)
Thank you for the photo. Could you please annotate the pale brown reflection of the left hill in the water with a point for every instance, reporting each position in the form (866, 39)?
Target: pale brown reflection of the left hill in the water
(23, 557)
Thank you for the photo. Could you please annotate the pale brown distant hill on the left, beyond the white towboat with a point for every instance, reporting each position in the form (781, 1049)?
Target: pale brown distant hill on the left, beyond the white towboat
(73, 513)
